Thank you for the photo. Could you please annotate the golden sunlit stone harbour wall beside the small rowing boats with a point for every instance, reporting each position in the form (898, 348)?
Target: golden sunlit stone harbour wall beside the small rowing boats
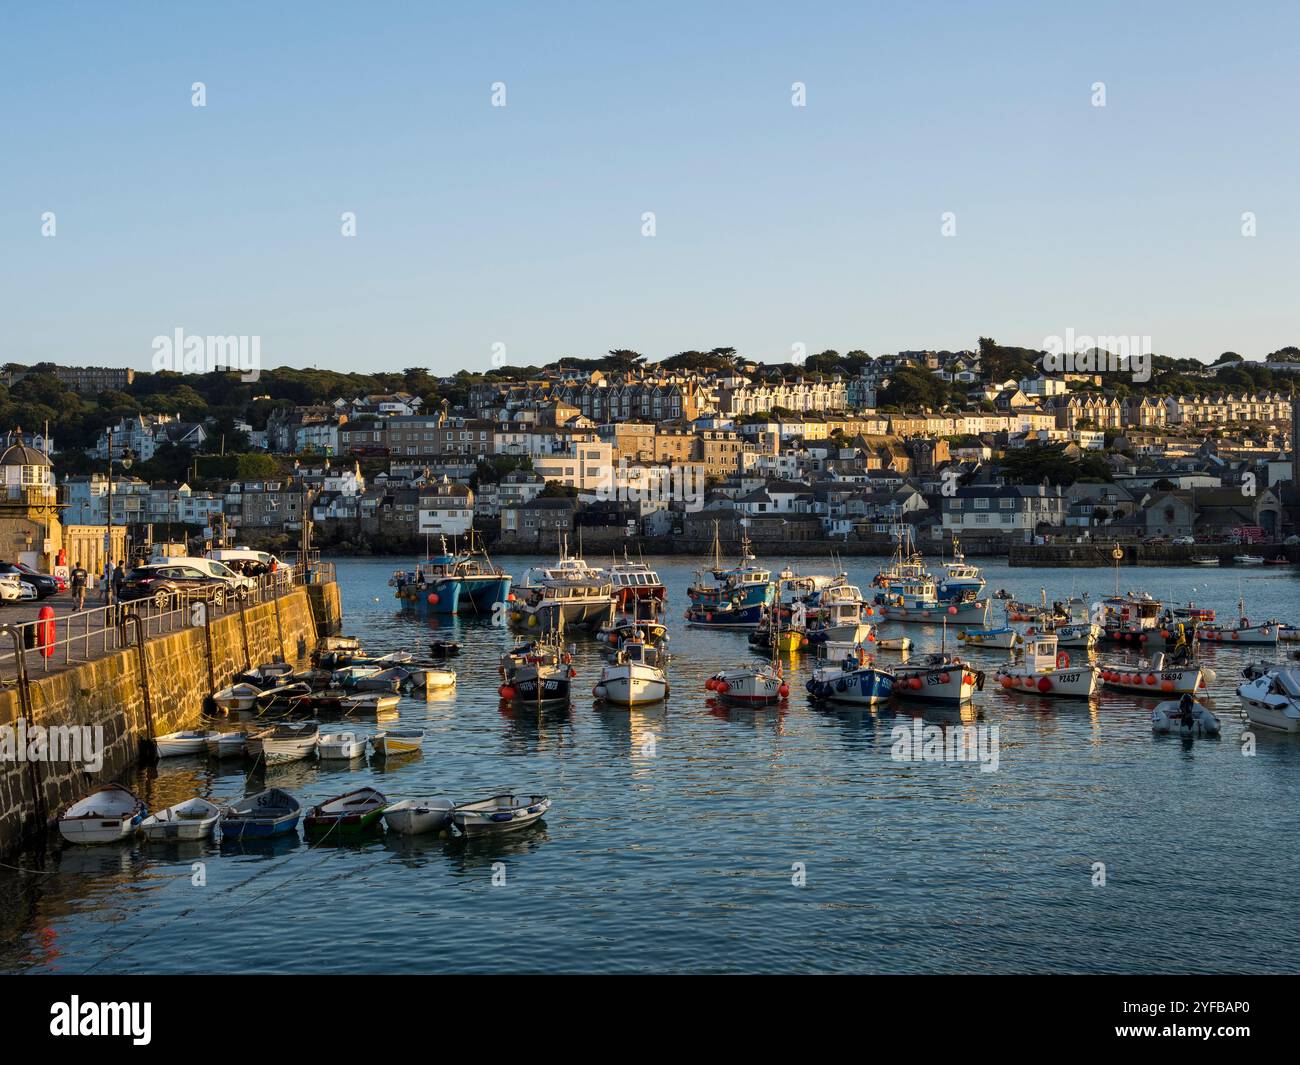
(181, 670)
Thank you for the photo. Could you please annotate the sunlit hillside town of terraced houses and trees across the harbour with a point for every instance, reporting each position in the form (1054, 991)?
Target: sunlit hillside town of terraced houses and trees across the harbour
(844, 451)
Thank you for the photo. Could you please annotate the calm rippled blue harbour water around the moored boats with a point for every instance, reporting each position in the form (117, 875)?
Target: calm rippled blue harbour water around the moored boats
(677, 834)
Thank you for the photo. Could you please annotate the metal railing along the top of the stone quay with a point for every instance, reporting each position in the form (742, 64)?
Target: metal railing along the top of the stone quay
(86, 635)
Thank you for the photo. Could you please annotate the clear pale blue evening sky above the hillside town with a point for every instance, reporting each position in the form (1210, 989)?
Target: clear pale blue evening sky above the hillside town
(523, 226)
